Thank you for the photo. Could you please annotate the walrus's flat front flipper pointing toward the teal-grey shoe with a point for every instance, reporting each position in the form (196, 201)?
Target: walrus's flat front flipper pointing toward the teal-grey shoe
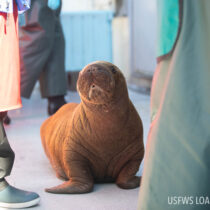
(71, 187)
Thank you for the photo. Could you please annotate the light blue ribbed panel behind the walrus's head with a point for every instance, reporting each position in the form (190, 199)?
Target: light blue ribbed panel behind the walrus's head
(88, 37)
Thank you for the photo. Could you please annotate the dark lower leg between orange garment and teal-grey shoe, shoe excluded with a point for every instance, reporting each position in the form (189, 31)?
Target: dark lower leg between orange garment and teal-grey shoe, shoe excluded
(6, 154)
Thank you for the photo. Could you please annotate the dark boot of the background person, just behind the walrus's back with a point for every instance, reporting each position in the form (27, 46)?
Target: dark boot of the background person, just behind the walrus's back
(55, 103)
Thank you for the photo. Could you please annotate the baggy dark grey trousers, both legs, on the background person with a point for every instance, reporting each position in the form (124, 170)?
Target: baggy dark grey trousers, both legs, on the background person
(42, 51)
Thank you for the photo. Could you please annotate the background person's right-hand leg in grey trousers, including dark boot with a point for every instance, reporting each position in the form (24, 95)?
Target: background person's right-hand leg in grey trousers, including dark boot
(53, 80)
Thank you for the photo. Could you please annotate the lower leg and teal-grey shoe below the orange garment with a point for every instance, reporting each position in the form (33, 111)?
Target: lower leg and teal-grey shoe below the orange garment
(11, 197)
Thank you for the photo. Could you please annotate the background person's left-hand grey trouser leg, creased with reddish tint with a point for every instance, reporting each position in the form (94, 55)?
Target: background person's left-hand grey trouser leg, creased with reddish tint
(36, 41)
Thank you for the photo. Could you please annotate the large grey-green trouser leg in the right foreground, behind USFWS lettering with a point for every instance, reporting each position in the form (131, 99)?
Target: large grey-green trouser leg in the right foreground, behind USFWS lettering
(177, 159)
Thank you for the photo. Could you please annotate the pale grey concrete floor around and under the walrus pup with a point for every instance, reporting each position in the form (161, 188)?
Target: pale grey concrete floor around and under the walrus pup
(33, 172)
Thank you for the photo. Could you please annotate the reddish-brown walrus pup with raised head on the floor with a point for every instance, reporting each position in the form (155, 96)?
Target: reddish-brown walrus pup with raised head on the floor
(100, 139)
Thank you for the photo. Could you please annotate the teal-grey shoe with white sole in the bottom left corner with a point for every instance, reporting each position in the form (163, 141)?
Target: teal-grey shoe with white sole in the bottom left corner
(11, 197)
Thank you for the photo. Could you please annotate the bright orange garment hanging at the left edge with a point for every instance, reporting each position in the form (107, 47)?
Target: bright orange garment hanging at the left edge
(9, 61)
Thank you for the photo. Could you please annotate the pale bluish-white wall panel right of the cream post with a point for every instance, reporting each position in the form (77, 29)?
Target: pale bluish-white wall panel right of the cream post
(143, 30)
